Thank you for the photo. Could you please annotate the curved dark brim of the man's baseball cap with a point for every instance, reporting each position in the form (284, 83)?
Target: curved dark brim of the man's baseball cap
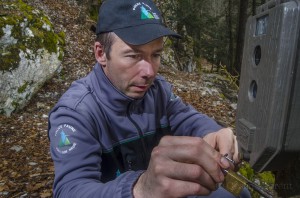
(142, 34)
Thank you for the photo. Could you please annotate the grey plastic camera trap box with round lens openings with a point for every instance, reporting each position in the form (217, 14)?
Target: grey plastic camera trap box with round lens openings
(268, 113)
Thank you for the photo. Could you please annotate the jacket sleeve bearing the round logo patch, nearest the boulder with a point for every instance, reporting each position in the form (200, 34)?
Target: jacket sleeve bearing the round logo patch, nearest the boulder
(76, 153)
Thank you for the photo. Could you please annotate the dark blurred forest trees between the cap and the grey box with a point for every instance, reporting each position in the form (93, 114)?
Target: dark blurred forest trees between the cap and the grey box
(217, 28)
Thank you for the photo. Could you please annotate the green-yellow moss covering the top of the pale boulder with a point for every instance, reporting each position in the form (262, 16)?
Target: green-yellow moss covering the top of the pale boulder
(30, 28)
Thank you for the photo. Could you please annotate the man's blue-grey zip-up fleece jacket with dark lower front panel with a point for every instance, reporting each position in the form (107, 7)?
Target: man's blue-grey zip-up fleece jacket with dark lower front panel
(101, 140)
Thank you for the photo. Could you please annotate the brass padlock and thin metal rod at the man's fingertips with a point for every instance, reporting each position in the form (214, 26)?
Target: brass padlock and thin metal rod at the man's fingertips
(235, 183)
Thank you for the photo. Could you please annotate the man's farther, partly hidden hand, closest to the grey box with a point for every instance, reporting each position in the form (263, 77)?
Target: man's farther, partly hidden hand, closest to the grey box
(225, 142)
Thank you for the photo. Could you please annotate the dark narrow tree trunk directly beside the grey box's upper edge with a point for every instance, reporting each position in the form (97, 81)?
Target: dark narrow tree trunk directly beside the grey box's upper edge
(243, 15)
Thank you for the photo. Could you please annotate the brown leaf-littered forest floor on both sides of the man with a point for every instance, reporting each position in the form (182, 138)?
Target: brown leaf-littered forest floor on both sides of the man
(26, 168)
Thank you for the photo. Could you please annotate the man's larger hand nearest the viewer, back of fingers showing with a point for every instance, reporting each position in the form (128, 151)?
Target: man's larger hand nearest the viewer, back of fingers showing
(179, 167)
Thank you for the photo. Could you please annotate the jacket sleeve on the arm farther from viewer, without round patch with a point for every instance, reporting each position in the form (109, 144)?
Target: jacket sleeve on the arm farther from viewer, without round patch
(186, 120)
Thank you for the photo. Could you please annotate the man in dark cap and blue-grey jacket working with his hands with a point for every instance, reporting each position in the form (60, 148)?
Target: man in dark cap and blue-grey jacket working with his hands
(121, 132)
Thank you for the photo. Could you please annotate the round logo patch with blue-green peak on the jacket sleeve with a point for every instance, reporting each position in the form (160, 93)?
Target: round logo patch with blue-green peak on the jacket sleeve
(63, 135)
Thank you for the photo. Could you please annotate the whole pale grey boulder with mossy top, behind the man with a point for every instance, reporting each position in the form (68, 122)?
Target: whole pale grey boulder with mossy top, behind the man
(30, 53)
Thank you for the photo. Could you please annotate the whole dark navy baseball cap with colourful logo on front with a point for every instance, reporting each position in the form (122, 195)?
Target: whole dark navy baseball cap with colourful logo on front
(136, 22)
